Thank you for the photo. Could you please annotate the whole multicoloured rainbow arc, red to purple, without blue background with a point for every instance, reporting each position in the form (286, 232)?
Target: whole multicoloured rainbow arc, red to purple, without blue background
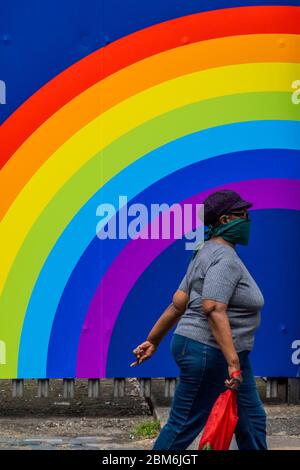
(211, 107)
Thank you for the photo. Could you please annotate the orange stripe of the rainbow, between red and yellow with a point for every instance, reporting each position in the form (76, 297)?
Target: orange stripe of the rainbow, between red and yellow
(130, 81)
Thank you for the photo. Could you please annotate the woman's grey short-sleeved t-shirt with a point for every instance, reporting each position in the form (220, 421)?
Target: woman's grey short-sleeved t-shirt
(218, 273)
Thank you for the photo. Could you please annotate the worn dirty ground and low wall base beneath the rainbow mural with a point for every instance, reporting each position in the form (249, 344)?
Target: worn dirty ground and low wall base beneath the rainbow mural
(107, 422)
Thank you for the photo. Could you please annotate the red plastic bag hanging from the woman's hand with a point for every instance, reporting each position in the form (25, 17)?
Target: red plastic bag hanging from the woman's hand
(221, 423)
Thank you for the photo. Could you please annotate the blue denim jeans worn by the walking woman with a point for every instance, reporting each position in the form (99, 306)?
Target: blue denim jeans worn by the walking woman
(203, 370)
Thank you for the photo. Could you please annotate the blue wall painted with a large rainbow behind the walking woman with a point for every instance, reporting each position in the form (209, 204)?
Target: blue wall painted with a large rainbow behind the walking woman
(162, 102)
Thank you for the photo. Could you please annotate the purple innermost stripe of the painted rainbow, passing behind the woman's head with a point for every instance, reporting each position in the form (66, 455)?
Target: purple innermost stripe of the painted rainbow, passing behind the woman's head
(138, 254)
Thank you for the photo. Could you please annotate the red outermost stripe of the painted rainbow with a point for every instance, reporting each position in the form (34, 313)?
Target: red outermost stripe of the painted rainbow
(134, 47)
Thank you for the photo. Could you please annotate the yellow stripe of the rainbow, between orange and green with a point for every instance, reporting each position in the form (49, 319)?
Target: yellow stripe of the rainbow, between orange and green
(117, 121)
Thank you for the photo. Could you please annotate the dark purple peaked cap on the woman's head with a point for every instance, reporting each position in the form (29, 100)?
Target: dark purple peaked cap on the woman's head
(220, 202)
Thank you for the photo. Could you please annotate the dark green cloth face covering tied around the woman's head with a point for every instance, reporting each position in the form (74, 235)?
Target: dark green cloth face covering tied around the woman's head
(235, 231)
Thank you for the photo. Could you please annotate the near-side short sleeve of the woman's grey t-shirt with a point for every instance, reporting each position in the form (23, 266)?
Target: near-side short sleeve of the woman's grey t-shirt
(221, 278)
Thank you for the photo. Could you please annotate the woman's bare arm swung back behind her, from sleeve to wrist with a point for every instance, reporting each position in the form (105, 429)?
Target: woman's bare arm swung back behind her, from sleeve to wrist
(169, 317)
